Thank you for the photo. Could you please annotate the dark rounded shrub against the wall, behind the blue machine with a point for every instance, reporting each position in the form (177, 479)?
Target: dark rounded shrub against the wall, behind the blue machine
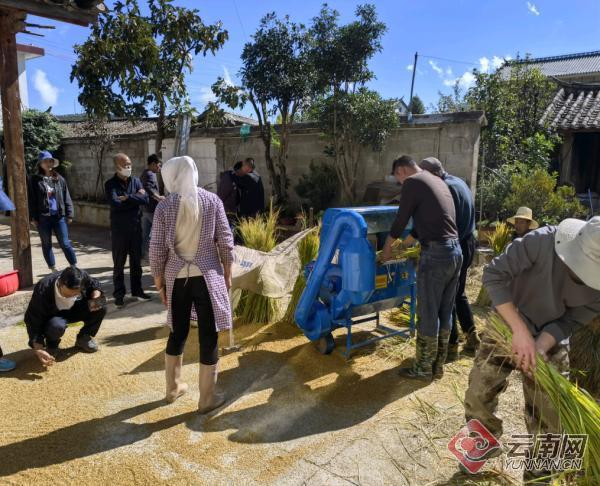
(318, 187)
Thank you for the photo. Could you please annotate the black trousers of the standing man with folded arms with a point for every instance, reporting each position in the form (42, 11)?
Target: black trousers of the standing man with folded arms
(125, 244)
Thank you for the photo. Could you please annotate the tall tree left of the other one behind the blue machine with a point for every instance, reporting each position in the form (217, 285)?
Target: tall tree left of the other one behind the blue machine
(276, 80)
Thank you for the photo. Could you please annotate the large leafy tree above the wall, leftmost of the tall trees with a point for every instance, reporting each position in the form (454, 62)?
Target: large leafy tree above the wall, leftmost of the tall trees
(135, 63)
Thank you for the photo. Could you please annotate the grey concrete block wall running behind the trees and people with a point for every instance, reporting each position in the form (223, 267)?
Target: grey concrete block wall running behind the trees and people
(453, 138)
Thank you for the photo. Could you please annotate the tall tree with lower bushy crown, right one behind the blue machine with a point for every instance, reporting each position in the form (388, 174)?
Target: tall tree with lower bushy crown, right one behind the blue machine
(351, 116)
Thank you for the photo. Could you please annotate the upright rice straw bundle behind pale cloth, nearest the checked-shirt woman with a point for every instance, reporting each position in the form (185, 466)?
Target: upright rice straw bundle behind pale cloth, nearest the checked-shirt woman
(258, 233)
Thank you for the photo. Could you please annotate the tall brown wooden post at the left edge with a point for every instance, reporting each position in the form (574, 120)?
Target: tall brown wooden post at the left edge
(10, 22)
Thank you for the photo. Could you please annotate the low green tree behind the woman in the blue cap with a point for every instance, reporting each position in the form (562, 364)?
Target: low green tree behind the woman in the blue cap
(41, 131)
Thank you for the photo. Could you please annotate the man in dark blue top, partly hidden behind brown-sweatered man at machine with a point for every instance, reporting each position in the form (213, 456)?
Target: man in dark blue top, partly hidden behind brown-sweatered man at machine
(464, 206)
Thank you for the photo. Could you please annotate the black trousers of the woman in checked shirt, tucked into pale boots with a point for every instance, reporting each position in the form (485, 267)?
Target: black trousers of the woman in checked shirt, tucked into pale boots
(188, 292)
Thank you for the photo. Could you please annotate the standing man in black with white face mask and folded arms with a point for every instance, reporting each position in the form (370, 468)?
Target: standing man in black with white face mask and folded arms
(126, 195)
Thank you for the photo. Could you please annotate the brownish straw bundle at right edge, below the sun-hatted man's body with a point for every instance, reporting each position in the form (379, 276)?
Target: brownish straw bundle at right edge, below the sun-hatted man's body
(584, 356)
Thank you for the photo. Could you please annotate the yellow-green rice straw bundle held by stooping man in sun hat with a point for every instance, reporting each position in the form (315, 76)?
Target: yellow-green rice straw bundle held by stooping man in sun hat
(579, 413)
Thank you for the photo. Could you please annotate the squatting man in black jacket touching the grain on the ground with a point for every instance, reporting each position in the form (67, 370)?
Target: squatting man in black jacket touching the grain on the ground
(58, 299)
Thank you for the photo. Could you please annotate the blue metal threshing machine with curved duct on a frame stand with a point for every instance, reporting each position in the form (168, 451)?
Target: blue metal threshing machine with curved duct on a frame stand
(347, 286)
